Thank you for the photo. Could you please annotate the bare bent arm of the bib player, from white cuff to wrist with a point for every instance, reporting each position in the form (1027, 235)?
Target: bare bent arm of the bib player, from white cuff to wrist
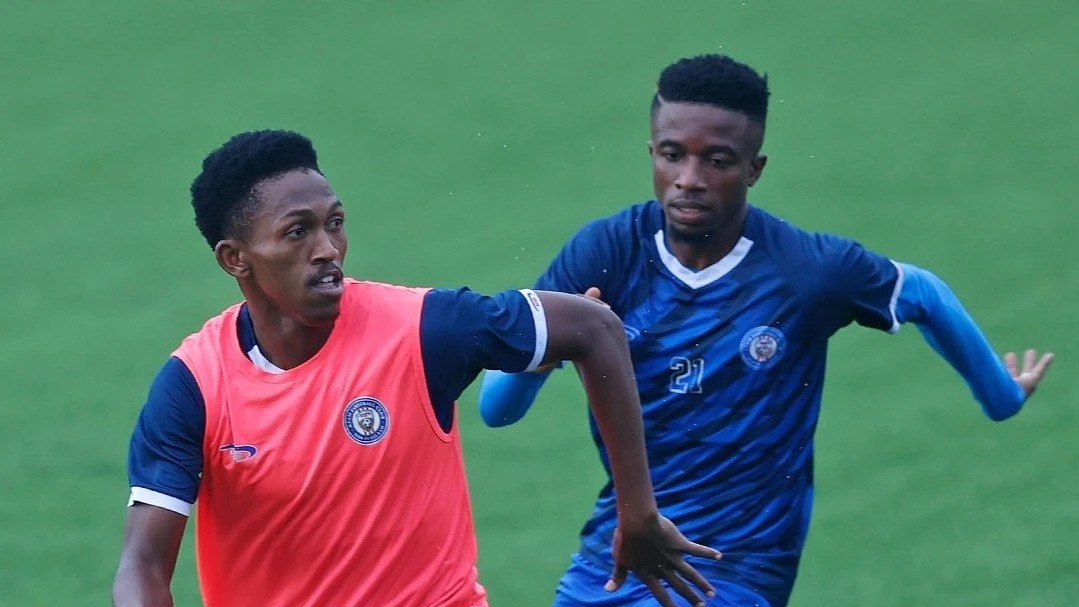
(593, 337)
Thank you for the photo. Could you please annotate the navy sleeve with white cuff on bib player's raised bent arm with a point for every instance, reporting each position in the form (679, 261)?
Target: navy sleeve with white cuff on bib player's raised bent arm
(463, 333)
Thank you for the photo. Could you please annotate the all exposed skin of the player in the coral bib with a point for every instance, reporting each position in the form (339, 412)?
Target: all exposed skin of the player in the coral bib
(289, 267)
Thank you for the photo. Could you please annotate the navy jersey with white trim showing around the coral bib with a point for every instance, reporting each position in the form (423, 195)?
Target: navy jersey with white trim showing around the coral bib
(461, 334)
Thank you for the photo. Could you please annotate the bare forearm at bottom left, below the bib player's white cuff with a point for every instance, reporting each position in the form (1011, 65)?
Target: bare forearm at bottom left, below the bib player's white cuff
(153, 539)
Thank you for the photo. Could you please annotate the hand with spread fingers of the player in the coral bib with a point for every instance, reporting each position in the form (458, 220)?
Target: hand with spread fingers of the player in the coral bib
(653, 551)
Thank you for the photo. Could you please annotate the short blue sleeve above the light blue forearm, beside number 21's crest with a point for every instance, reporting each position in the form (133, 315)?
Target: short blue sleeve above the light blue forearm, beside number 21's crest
(863, 285)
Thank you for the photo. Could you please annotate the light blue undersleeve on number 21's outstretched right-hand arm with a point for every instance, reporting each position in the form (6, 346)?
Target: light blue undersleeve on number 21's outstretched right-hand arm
(931, 305)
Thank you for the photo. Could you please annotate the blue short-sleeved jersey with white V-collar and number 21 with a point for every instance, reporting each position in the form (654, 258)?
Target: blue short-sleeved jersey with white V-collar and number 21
(730, 362)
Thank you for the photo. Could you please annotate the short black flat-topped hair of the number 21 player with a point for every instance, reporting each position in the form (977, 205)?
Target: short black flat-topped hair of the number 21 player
(716, 80)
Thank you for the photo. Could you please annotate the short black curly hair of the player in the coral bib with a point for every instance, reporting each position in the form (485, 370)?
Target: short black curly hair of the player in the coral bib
(223, 195)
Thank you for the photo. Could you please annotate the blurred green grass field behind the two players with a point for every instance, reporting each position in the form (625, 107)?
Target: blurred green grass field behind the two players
(469, 140)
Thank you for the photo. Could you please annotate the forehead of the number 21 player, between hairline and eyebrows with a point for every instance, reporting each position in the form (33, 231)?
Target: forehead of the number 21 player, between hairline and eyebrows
(703, 126)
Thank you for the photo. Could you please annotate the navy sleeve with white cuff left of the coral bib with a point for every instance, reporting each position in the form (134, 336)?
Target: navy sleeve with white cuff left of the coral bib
(166, 458)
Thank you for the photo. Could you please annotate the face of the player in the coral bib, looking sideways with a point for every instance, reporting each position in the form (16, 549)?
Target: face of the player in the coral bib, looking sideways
(296, 247)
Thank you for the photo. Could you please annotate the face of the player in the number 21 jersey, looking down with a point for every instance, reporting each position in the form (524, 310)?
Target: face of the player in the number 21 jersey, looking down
(704, 160)
